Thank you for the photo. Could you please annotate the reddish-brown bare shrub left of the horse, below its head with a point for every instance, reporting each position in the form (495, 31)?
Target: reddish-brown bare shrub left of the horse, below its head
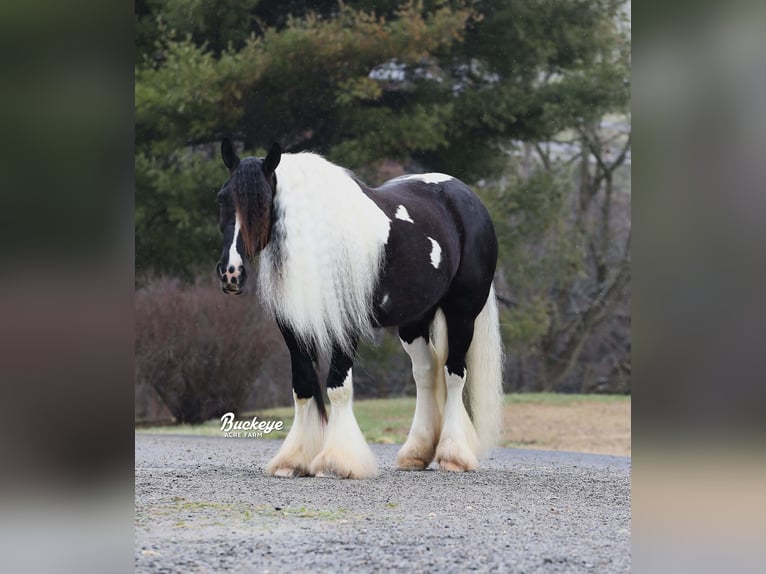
(201, 350)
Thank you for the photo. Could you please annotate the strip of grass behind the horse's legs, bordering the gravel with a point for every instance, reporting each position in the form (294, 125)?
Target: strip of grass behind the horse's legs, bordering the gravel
(548, 421)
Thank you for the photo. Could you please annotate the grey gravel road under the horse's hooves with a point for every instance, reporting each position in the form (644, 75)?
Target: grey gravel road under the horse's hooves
(203, 505)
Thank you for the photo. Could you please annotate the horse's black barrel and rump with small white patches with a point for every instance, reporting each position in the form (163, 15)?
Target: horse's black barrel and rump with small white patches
(442, 240)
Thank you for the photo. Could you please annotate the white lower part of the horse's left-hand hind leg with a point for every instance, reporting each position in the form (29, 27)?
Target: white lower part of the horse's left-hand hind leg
(418, 450)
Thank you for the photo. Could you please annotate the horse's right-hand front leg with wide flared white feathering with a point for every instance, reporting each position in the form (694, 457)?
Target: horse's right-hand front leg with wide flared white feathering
(345, 452)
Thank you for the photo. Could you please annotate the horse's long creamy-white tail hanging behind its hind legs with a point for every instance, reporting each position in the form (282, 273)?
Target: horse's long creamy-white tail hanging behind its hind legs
(484, 362)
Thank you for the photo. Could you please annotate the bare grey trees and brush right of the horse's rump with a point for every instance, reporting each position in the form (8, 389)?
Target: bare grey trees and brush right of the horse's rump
(563, 217)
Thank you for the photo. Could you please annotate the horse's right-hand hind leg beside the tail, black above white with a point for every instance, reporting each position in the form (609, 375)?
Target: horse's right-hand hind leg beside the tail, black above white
(458, 442)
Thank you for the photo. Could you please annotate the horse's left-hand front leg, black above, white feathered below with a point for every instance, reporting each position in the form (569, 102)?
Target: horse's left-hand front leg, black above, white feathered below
(306, 435)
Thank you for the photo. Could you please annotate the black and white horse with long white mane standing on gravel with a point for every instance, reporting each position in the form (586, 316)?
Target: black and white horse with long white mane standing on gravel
(338, 259)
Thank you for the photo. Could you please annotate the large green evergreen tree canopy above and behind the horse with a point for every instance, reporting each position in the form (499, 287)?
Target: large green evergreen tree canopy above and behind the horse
(319, 75)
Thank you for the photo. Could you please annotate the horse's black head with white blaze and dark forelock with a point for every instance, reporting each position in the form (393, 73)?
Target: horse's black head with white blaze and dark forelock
(246, 208)
